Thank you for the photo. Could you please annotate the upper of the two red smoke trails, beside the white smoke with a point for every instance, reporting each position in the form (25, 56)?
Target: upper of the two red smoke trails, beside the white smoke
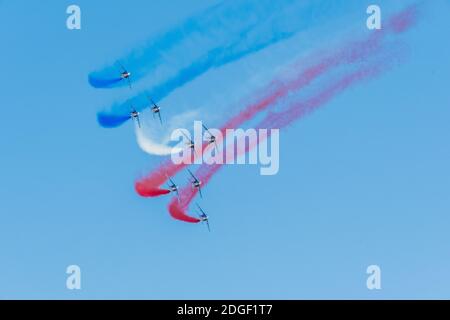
(350, 53)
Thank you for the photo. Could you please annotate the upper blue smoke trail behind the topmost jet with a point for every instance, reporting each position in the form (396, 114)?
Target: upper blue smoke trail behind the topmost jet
(214, 26)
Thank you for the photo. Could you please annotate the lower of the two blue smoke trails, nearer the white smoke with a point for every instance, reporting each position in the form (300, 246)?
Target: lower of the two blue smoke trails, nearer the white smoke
(282, 23)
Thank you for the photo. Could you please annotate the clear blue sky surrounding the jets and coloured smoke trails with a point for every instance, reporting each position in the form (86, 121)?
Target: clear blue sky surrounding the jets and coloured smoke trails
(362, 181)
